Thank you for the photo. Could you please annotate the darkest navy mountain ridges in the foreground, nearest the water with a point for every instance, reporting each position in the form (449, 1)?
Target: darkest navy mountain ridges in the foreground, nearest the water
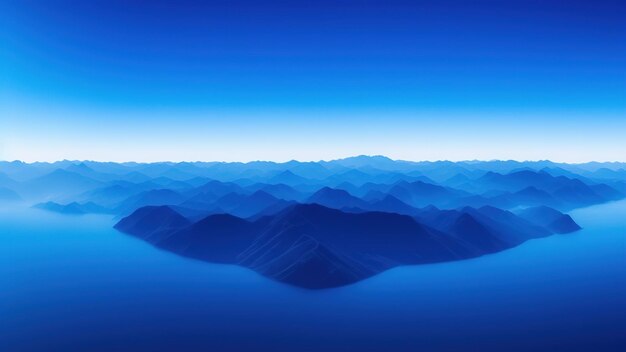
(313, 246)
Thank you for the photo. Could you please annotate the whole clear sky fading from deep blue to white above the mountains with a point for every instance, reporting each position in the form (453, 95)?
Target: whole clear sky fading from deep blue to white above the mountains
(280, 80)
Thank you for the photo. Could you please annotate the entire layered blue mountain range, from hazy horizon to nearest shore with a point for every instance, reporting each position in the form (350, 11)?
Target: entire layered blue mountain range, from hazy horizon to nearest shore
(322, 224)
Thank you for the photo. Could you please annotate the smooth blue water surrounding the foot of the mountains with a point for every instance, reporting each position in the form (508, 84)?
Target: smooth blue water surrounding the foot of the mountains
(72, 283)
